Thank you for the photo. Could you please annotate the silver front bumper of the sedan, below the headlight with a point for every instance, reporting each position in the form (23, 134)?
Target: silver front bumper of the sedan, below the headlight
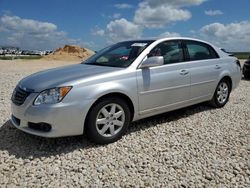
(66, 119)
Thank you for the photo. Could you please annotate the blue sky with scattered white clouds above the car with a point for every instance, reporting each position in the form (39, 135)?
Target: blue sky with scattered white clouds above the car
(49, 24)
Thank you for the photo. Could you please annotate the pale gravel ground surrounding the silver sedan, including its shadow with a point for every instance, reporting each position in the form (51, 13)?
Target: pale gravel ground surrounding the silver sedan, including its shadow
(193, 147)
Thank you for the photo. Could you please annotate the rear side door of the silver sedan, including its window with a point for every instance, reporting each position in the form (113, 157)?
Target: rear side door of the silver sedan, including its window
(204, 69)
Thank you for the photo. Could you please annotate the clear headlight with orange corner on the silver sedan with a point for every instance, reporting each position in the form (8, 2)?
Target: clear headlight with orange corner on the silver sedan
(52, 96)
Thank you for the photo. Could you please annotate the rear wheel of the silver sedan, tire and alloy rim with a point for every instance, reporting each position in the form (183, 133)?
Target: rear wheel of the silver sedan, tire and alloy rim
(221, 94)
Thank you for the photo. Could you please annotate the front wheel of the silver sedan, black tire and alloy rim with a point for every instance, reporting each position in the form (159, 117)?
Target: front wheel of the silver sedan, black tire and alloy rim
(107, 120)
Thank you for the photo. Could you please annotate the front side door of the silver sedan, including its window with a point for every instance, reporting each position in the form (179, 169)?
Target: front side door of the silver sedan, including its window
(166, 86)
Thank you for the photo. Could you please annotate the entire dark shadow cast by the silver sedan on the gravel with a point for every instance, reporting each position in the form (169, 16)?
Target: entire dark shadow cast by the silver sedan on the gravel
(23, 145)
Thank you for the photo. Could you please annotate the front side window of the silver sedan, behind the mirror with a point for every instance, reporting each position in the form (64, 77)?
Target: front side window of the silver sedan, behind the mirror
(170, 50)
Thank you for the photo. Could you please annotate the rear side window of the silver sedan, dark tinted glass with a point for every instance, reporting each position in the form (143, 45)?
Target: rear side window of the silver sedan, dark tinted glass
(200, 51)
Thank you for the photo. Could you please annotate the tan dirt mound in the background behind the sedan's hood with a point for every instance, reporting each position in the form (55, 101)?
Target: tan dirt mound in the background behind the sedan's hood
(69, 53)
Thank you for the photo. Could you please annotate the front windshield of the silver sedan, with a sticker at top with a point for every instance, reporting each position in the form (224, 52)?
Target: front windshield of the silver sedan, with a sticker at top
(118, 55)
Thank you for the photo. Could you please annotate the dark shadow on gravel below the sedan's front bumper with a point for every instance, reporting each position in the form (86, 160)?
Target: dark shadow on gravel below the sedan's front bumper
(26, 146)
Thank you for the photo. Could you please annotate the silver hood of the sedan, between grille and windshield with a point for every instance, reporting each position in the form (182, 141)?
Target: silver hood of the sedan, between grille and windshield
(58, 76)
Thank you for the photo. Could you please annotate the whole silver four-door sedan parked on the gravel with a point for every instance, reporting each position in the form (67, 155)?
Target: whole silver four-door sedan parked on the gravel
(124, 82)
